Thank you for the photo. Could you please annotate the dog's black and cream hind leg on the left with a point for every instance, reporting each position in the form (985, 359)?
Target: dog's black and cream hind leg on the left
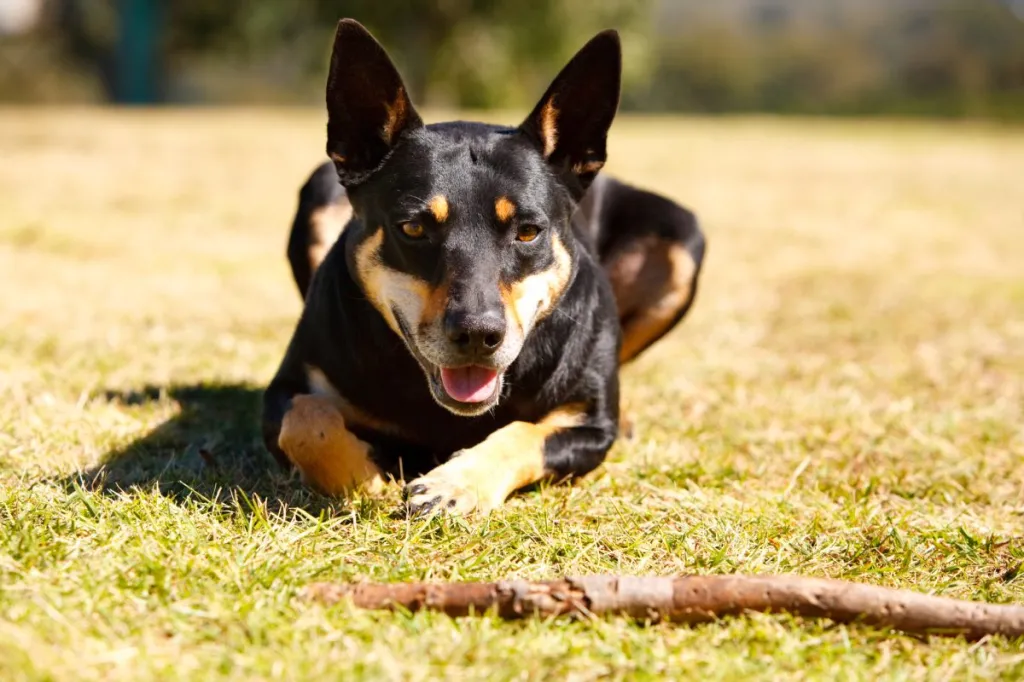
(324, 211)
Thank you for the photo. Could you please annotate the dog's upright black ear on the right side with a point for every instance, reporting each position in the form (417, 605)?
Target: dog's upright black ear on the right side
(571, 123)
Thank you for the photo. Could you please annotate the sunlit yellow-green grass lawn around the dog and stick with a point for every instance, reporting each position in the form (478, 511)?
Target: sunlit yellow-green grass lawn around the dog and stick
(846, 400)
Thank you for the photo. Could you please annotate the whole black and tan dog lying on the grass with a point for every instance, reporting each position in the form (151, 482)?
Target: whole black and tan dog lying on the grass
(471, 290)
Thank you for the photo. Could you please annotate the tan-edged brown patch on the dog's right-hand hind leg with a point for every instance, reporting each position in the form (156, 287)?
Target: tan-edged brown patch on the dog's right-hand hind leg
(653, 284)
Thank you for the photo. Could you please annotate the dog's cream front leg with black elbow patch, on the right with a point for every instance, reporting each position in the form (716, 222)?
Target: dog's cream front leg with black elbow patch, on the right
(567, 443)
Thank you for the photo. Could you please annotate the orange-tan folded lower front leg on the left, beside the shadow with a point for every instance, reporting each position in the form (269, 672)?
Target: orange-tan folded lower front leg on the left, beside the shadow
(315, 438)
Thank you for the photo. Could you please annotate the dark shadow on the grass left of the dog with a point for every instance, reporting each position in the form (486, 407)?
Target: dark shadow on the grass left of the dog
(211, 449)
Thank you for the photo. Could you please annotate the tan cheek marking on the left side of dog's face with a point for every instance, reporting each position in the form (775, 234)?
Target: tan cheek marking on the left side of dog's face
(388, 289)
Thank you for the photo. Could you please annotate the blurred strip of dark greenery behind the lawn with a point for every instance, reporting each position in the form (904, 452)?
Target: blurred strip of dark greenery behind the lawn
(841, 58)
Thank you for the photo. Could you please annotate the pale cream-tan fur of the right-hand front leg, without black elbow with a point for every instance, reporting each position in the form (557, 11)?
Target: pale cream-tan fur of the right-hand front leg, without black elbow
(480, 479)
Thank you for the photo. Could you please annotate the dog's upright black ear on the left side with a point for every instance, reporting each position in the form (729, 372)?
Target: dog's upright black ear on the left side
(368, 107)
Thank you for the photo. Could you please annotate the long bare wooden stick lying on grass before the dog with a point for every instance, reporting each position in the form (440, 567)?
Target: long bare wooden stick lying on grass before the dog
(691, 600)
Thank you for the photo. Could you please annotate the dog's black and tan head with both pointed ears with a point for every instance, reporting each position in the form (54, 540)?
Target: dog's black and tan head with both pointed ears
(466, 242)
